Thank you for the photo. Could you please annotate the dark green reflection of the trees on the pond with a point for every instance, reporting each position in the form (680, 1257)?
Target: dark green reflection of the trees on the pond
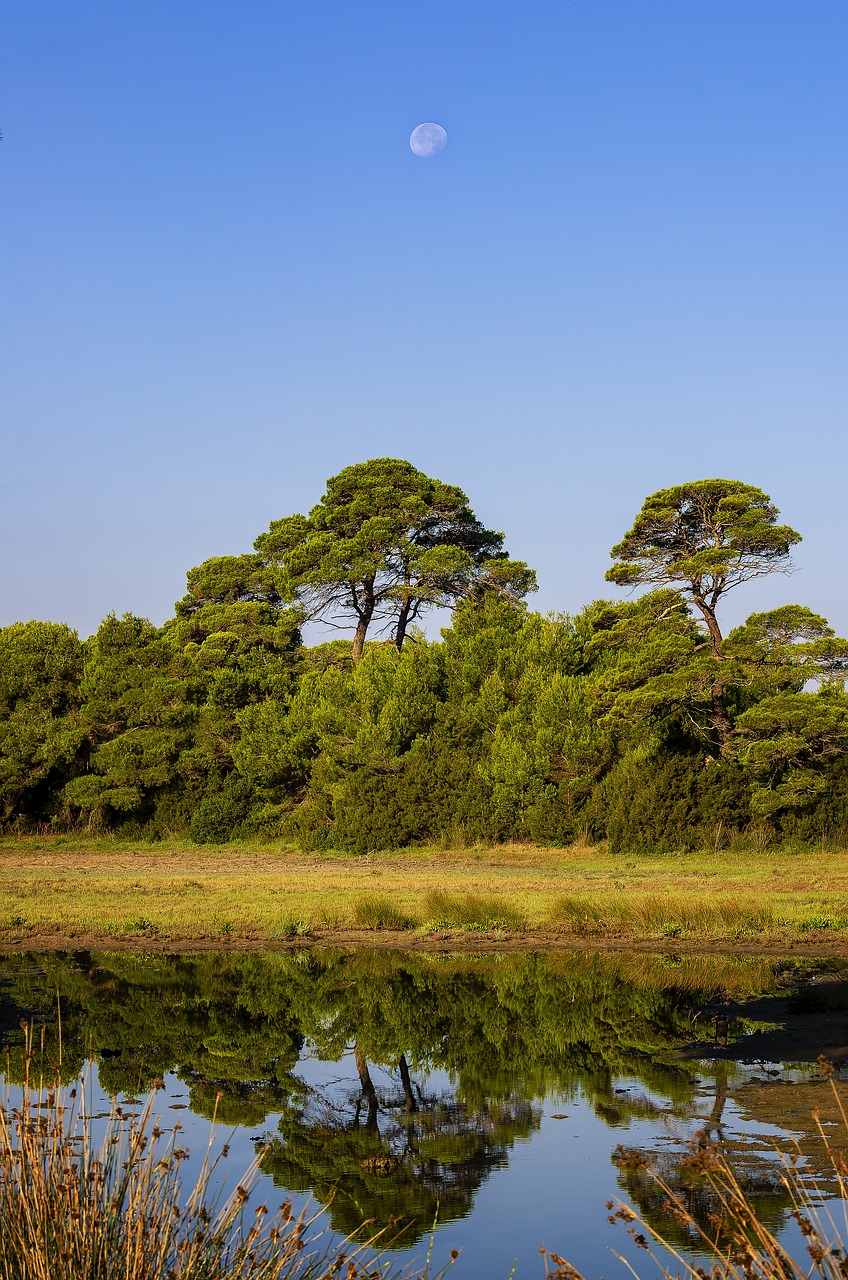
(444, 1063)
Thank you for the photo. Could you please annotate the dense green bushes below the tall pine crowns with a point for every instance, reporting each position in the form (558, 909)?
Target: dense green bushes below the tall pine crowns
(512, 728)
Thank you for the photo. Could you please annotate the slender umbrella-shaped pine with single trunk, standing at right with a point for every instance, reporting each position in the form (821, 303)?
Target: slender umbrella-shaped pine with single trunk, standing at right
(705, 538)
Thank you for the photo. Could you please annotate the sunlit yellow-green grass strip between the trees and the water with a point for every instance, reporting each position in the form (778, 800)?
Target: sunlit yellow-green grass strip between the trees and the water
(111, 890)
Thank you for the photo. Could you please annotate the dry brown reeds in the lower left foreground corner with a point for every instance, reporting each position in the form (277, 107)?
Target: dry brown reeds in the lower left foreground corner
(76, 1209)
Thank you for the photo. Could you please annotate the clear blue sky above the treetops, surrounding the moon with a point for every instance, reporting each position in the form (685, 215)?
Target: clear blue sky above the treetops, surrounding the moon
(225, 276)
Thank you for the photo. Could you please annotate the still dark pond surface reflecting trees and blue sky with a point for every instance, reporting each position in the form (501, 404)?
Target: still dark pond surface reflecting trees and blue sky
(490, 1090)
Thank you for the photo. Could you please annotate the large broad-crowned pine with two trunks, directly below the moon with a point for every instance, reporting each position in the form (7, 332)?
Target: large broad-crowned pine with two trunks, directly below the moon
(385, 545)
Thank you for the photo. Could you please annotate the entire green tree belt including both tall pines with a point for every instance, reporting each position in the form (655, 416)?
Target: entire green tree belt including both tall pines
(635, 723)
